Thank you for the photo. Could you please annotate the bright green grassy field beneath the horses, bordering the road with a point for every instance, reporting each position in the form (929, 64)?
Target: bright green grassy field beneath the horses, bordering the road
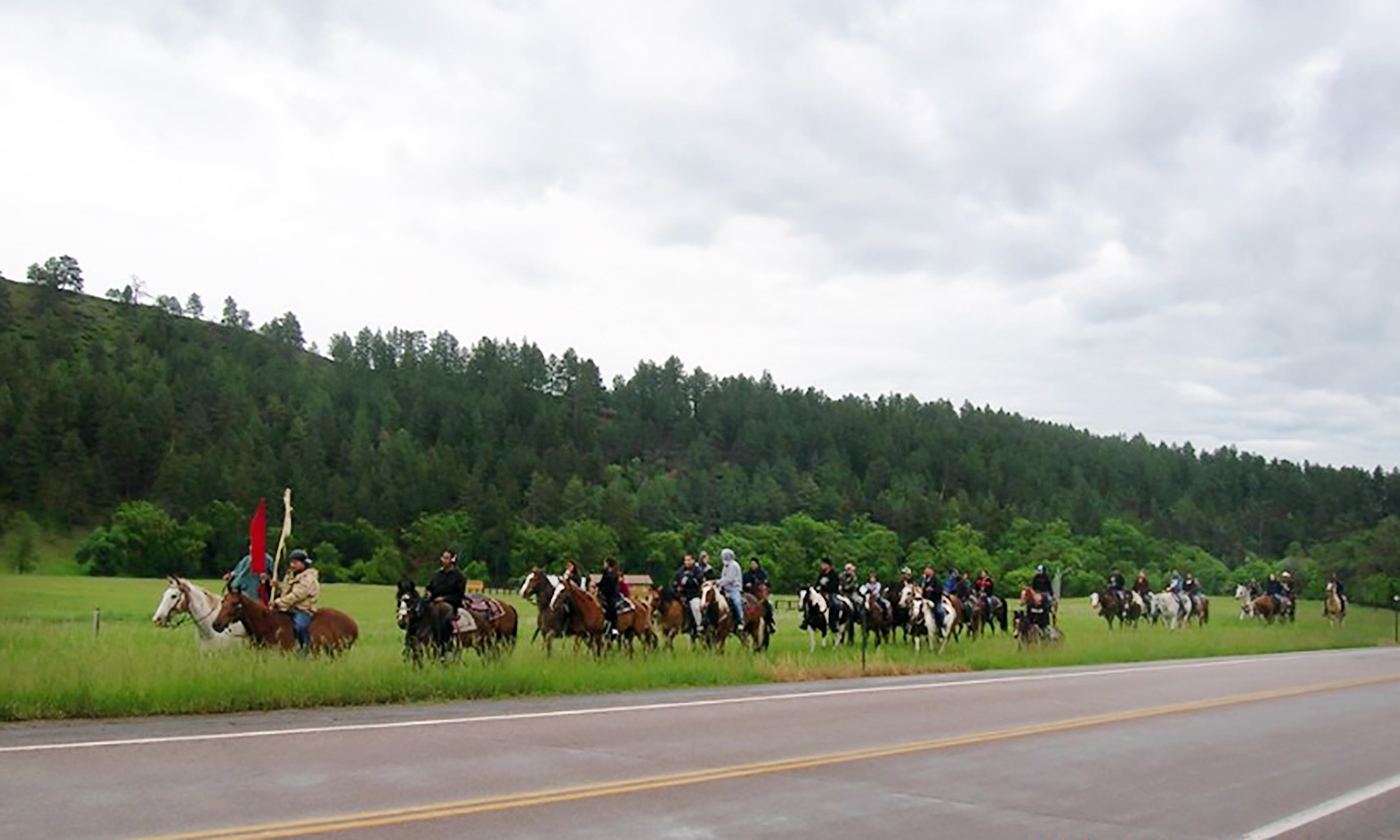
(54, 666)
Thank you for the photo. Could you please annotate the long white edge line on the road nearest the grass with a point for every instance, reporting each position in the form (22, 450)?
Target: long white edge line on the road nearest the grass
(526, 716)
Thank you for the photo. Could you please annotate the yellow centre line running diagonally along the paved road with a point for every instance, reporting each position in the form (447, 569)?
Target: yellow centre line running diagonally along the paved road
(374, 820)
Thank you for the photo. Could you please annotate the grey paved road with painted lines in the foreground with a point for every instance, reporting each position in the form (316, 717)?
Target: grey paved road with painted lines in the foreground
(1212, 748)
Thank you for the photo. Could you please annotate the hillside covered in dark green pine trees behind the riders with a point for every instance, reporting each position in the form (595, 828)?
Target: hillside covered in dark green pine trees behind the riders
(400, 443)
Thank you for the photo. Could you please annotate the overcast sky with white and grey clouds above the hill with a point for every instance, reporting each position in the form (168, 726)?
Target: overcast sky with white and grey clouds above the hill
(1172, 219)
